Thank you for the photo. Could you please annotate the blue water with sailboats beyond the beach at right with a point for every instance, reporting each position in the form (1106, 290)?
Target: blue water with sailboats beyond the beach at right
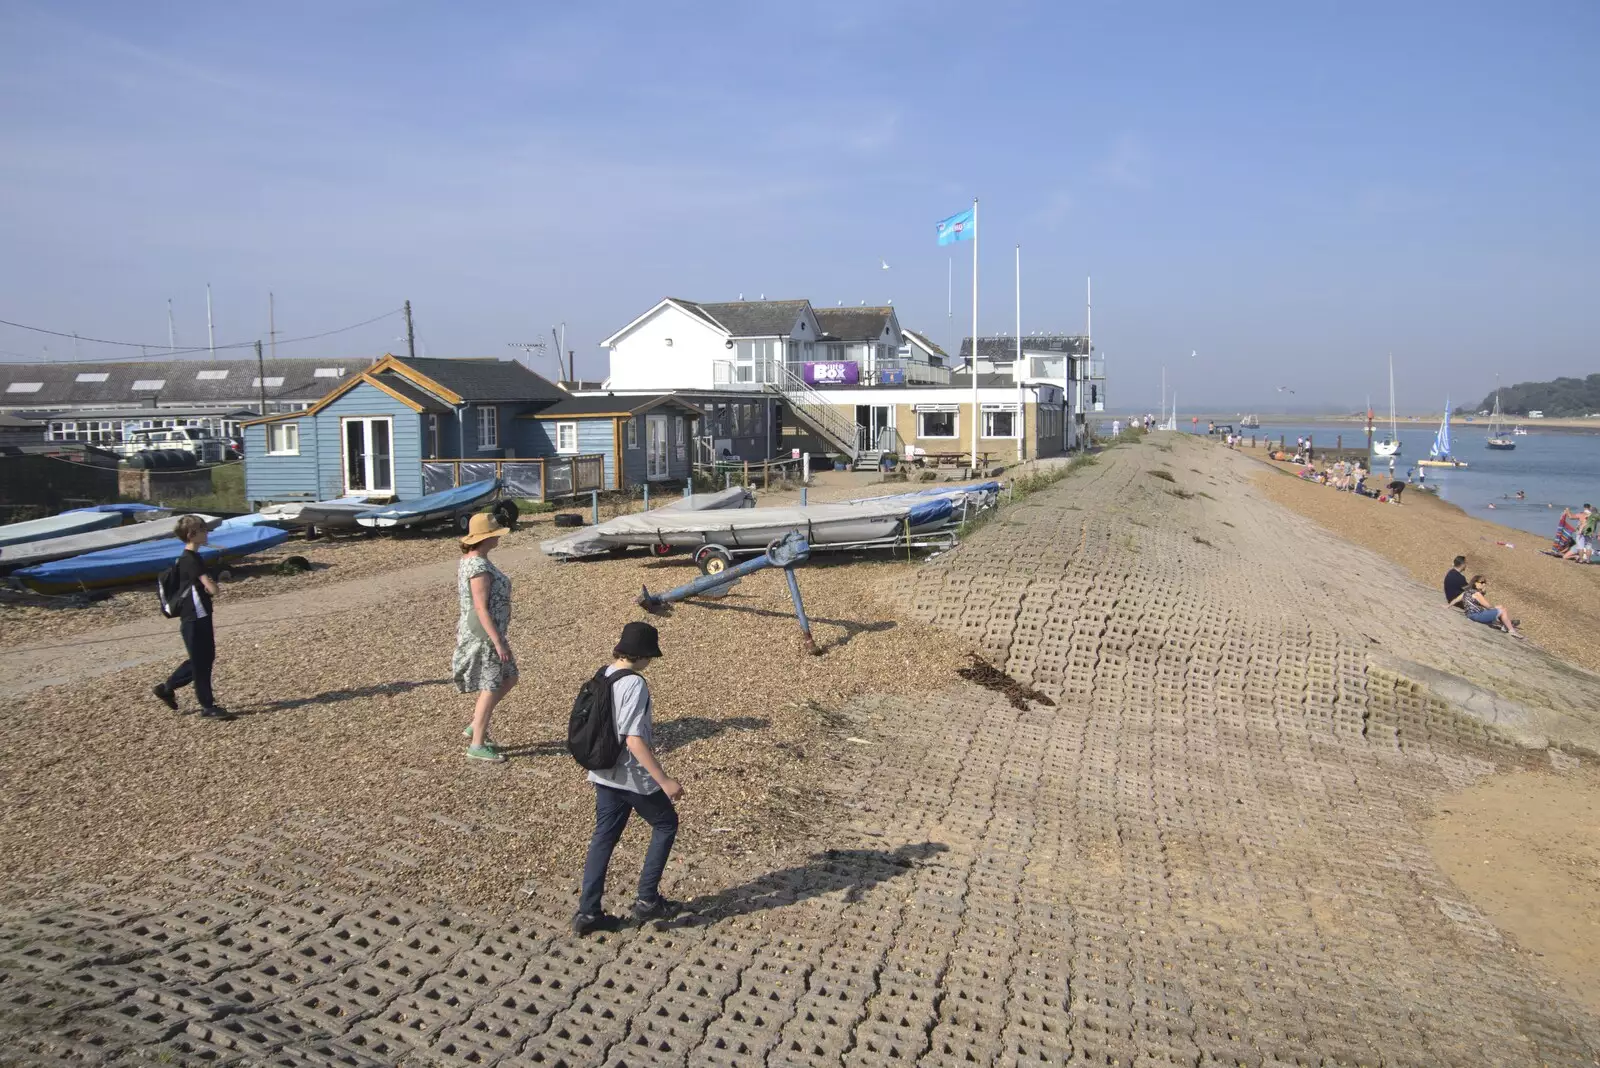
(1554, 469)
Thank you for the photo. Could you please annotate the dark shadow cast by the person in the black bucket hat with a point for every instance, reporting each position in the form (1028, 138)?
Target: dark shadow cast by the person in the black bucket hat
(850, 871)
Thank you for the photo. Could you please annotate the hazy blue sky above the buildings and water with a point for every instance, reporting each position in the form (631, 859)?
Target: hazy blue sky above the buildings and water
(1287, 191)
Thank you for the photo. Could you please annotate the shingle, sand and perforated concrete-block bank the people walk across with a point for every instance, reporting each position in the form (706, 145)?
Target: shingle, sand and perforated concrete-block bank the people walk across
(1234, 787)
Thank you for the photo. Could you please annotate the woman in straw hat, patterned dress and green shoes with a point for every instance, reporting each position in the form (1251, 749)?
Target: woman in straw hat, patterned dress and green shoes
(484, 663)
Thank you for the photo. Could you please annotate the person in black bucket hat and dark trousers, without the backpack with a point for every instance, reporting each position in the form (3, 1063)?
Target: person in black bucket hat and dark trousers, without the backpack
(634, 784)
